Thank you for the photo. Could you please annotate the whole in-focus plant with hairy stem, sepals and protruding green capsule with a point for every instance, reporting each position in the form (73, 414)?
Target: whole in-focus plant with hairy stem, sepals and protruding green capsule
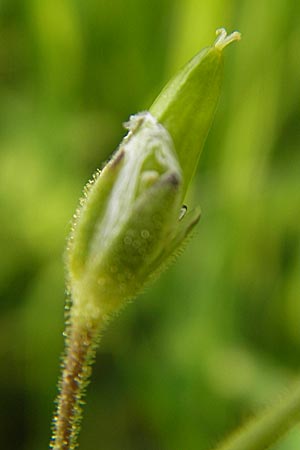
(130, 221)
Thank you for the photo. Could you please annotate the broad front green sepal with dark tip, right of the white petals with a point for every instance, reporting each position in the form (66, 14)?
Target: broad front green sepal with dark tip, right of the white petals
(127, 264)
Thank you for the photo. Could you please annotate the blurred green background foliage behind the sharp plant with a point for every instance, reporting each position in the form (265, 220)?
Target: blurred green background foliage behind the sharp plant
(218, 336)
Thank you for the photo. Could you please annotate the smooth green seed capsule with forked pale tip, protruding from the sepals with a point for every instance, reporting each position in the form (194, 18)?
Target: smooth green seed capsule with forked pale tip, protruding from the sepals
(187, 104)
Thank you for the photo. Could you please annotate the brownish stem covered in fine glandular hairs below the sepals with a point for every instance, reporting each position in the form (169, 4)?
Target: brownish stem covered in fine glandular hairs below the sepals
(76, 371)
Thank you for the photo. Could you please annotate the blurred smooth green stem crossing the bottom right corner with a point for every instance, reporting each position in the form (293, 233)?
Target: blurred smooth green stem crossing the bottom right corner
(265, 429)
